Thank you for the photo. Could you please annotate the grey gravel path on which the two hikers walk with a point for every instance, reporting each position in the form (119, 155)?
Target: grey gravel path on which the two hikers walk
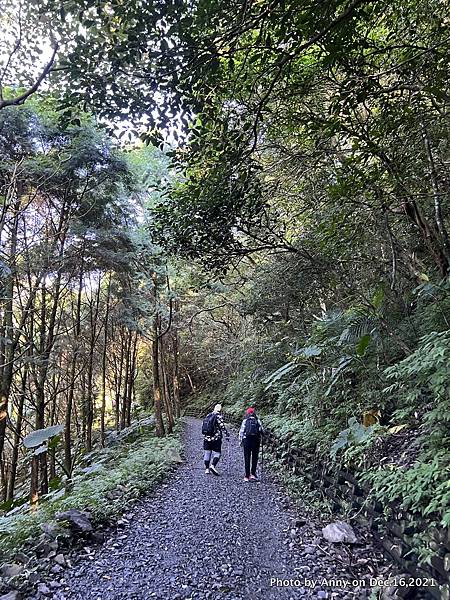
(201, 536)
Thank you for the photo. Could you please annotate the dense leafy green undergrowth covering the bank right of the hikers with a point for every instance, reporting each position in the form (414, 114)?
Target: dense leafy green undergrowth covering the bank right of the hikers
(353, 394)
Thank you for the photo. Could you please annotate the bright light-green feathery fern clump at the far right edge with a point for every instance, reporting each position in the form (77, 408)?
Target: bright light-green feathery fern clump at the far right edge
(422, 391)
